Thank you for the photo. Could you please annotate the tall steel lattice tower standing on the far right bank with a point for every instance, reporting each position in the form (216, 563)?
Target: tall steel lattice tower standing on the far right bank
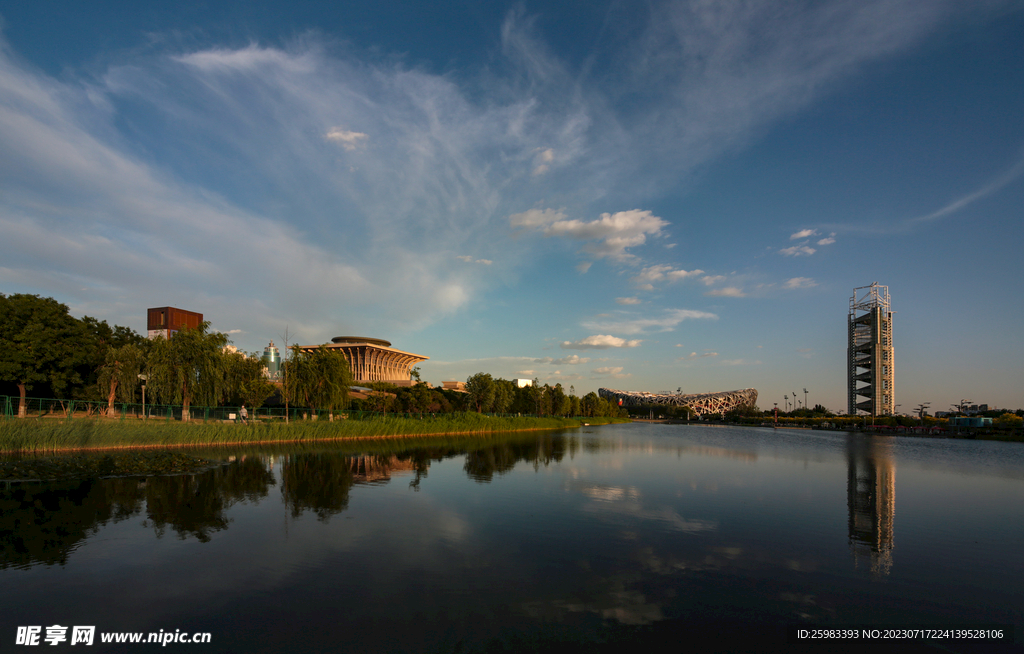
(870, 354)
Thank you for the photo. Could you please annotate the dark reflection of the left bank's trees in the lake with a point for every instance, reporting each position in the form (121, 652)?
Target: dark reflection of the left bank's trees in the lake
(45, 522)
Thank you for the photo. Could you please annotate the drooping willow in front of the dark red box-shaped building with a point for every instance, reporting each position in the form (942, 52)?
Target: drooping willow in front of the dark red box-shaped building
(188, 368)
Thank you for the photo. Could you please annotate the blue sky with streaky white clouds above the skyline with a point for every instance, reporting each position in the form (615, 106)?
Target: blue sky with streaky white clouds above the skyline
(644, 197)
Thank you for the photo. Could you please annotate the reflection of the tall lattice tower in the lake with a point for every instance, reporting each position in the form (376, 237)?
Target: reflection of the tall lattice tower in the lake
(871, 498)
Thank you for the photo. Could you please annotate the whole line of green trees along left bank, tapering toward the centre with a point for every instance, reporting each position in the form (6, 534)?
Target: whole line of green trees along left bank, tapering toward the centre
(47, 352)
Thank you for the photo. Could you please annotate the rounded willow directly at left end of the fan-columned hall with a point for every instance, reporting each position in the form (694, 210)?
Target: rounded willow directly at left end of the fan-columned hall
(318, 379)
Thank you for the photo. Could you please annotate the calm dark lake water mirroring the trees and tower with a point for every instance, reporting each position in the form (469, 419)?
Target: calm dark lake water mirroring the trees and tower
(666, 537)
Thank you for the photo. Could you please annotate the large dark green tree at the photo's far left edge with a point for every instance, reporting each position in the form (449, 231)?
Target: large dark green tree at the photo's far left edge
(40, 343)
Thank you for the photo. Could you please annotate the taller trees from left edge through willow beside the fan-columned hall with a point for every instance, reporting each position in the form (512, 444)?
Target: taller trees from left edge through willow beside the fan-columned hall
(47, 352)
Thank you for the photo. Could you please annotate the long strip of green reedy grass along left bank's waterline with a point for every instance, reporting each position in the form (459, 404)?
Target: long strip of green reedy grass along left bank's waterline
(25, 437)
